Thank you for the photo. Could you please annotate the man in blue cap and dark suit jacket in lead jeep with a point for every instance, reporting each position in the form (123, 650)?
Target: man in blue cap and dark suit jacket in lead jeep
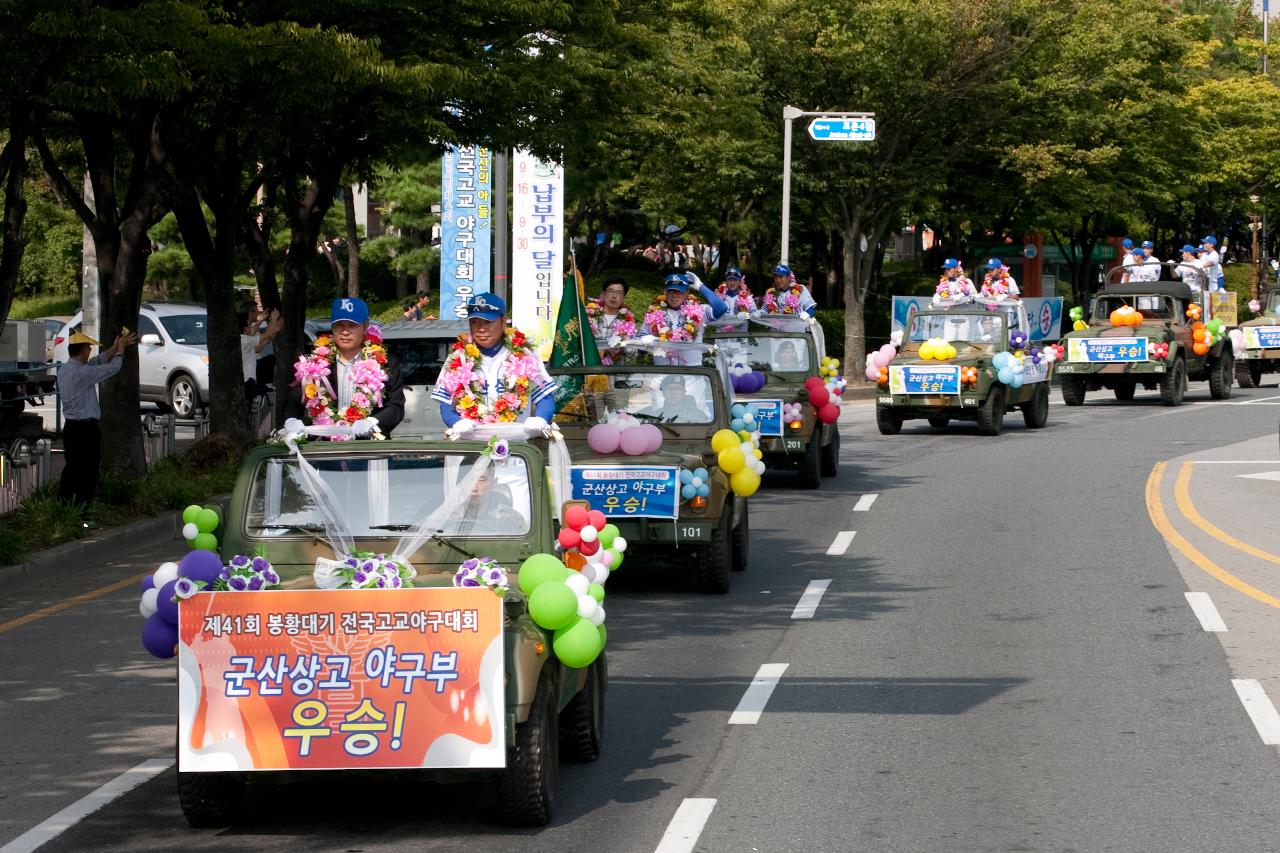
(350, 318)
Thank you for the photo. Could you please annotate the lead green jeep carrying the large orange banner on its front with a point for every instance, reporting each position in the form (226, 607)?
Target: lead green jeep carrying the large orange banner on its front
(426, 681)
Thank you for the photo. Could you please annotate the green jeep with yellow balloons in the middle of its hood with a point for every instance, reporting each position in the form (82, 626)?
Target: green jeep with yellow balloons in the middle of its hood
(967, 386)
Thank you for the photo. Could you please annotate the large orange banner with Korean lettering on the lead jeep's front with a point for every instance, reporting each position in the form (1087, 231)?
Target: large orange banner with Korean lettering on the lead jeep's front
(341, 679)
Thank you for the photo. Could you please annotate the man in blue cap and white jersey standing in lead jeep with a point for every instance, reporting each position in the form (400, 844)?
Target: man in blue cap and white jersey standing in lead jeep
(496, 372)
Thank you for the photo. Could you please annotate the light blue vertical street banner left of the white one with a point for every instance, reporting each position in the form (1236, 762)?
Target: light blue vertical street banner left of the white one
(467, 227)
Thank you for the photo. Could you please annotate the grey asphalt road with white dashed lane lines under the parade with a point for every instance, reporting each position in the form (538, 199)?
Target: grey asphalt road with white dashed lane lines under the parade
(1005, 659)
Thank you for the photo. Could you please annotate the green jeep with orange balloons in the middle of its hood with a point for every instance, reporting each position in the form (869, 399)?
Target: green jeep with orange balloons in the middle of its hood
(1158, 353)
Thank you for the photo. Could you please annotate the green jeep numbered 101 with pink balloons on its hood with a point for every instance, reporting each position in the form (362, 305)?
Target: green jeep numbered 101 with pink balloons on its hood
(683, 390)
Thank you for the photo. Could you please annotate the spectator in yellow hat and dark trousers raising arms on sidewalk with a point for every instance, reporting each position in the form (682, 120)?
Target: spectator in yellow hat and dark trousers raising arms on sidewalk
(83, 436)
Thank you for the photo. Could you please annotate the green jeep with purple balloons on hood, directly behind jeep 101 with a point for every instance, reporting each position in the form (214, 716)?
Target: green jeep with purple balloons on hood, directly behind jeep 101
(788, 350)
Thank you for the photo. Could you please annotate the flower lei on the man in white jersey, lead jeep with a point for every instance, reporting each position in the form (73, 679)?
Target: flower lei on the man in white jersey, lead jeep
(465, 384)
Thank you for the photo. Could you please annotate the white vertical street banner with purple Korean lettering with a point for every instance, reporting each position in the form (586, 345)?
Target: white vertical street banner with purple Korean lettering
(537, 254)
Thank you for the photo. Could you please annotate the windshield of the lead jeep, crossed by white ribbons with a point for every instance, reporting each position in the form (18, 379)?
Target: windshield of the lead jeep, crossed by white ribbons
(382, 496)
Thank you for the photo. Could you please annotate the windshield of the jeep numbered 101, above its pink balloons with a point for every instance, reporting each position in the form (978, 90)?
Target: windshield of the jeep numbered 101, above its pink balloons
(651, 396)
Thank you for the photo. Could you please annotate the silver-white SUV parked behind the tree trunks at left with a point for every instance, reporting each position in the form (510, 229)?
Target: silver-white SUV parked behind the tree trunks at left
(173, 354)
